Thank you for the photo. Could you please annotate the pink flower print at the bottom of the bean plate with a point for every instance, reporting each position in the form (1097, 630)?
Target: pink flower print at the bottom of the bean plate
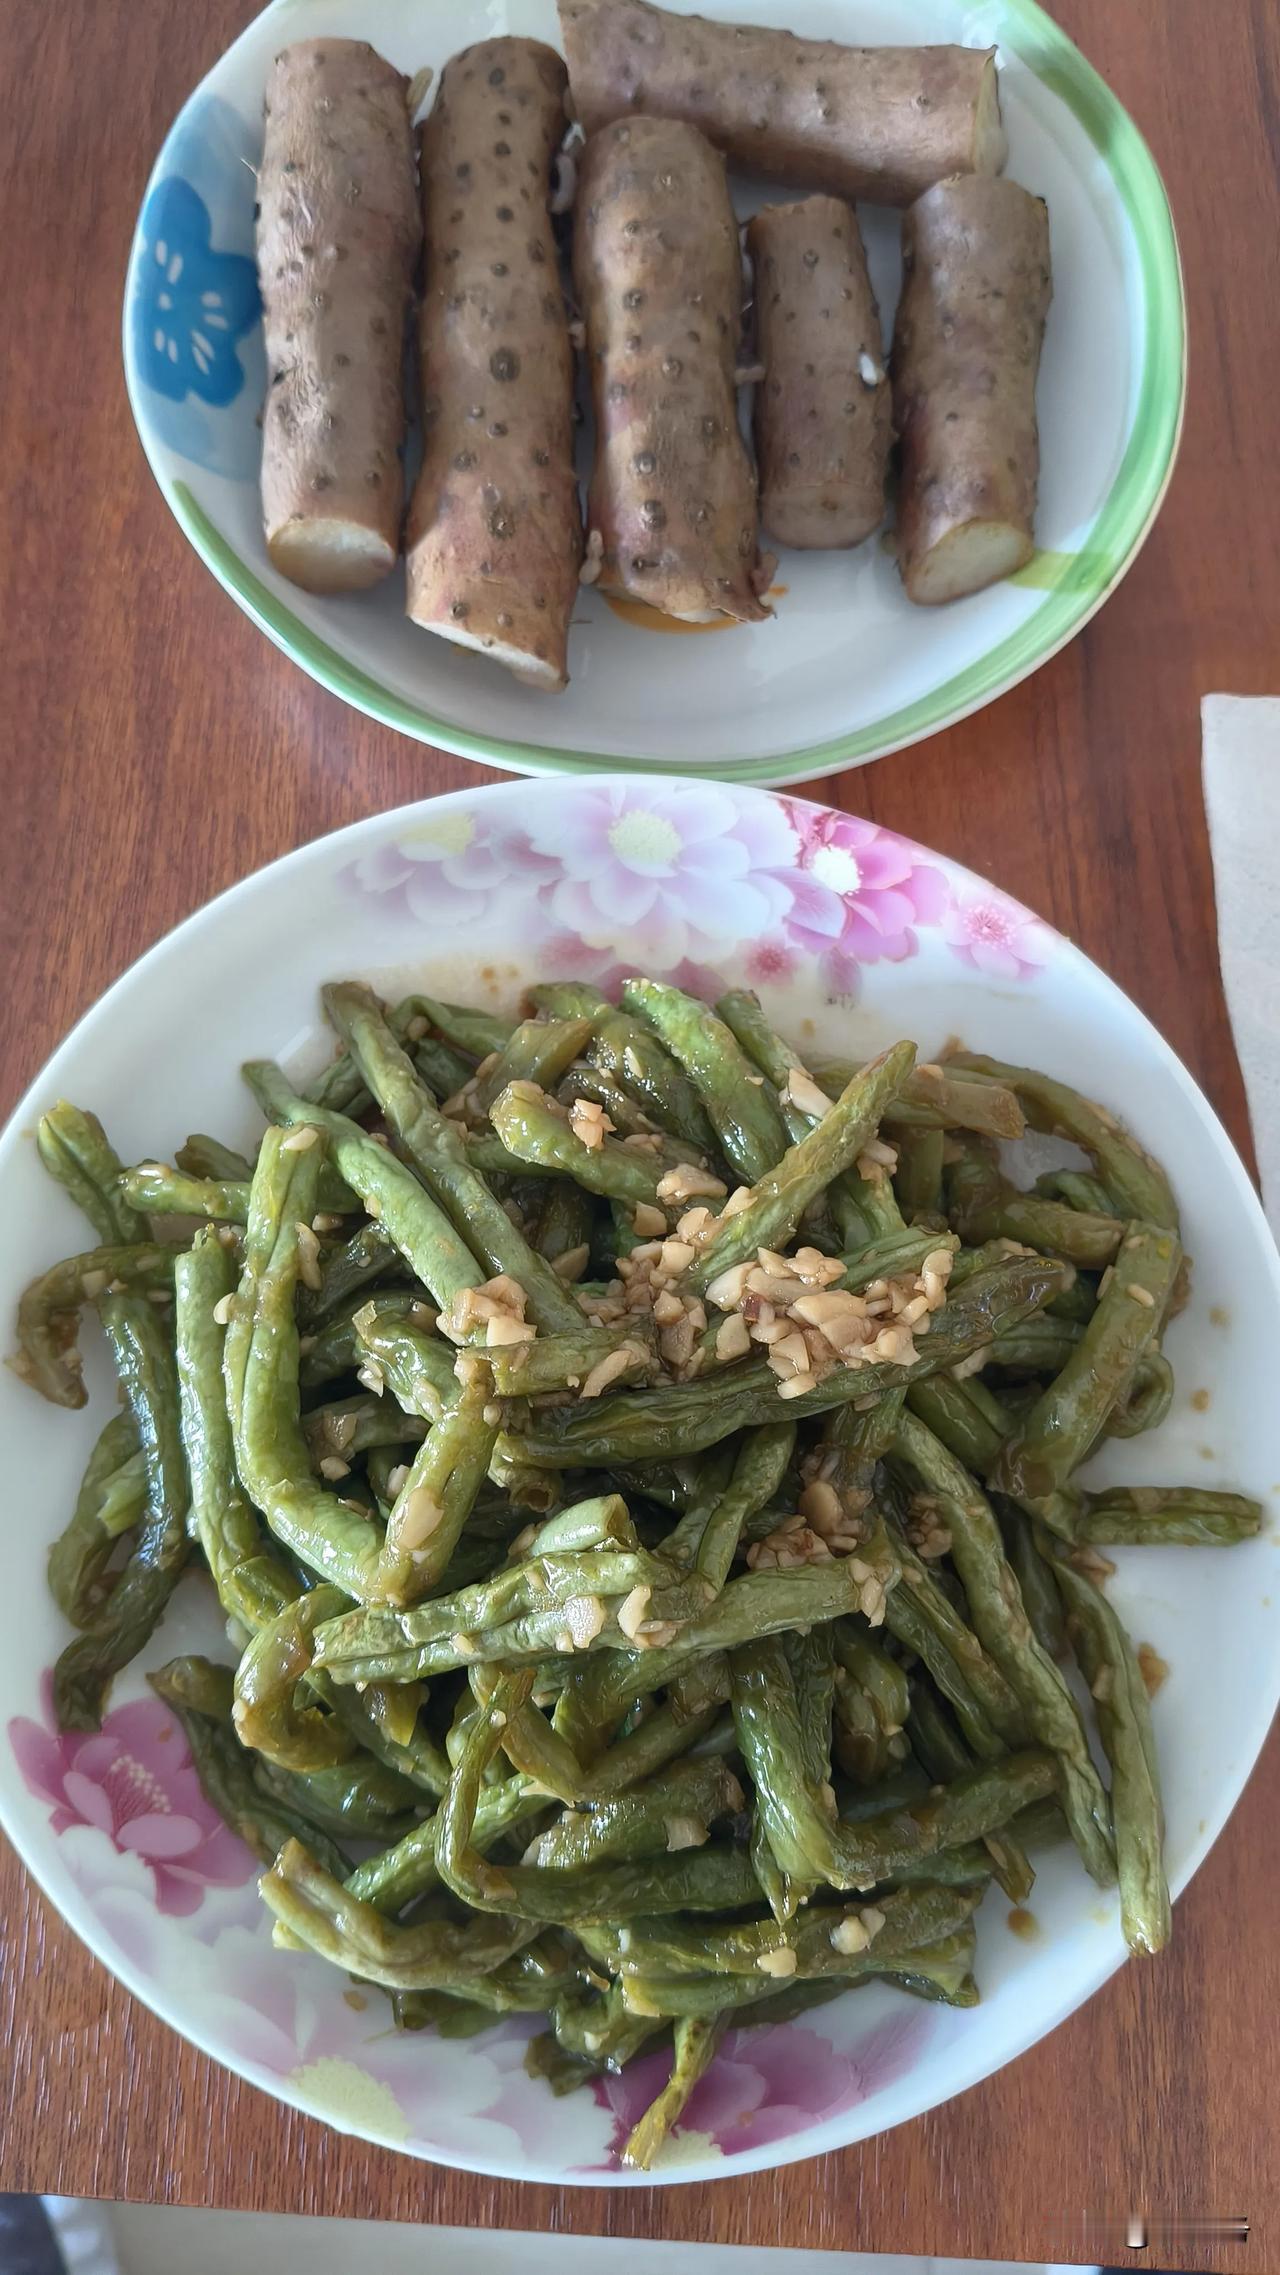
(767, 2085)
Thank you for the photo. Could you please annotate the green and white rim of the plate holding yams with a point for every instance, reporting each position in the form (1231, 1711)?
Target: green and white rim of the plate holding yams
(1122, 524)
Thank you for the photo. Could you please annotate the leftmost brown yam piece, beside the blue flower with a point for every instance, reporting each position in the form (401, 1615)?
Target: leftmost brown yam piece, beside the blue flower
(338, 247)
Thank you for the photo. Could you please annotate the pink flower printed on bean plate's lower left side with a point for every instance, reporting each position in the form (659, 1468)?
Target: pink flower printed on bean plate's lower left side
(133, 1780)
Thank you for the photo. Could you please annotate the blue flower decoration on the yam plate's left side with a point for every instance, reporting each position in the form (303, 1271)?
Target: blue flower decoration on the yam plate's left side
(192, 304)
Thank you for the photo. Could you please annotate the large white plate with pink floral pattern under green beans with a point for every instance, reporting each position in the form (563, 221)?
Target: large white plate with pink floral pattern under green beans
(854, 936)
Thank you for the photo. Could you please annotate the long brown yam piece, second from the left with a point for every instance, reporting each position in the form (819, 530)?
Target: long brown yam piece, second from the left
(494, 529)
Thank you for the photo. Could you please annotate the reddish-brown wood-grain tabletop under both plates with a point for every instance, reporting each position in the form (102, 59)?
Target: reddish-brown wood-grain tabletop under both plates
(156, 747)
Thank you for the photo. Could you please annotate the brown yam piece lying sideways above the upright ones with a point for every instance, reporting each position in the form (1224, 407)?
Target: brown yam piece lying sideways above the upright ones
(861, 122)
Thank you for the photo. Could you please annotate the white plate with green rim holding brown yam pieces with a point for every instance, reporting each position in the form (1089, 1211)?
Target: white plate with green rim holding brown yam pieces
(847, 670)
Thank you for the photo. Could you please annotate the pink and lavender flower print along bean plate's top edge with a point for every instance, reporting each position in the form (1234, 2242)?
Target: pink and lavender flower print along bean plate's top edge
(667, 879)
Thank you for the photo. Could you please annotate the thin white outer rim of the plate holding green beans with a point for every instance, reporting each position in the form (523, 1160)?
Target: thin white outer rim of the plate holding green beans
(770, 2156)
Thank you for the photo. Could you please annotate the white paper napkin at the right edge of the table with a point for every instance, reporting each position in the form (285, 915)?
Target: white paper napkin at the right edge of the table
(1242, 802)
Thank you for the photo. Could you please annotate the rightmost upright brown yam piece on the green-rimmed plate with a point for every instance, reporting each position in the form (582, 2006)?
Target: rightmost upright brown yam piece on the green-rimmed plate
(967, 340)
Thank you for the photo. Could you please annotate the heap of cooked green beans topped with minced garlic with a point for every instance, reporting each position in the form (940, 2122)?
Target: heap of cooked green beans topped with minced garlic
(640, 1478)
